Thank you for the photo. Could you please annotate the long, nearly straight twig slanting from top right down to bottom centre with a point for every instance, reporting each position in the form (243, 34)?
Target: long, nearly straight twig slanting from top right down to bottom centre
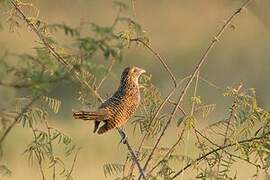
(202, 60)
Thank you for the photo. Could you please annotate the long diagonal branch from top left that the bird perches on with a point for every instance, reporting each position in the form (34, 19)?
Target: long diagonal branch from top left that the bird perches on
(61, 60)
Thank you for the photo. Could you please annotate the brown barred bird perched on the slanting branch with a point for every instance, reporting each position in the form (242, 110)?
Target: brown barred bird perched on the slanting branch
(116, 110)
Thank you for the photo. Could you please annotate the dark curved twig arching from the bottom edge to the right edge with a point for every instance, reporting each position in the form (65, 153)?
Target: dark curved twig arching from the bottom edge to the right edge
(196, 161)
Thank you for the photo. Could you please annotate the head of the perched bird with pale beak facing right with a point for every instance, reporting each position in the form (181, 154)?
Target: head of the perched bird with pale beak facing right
(132, 73)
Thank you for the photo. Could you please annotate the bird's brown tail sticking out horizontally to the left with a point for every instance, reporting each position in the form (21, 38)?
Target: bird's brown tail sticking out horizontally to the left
(97, 115)
